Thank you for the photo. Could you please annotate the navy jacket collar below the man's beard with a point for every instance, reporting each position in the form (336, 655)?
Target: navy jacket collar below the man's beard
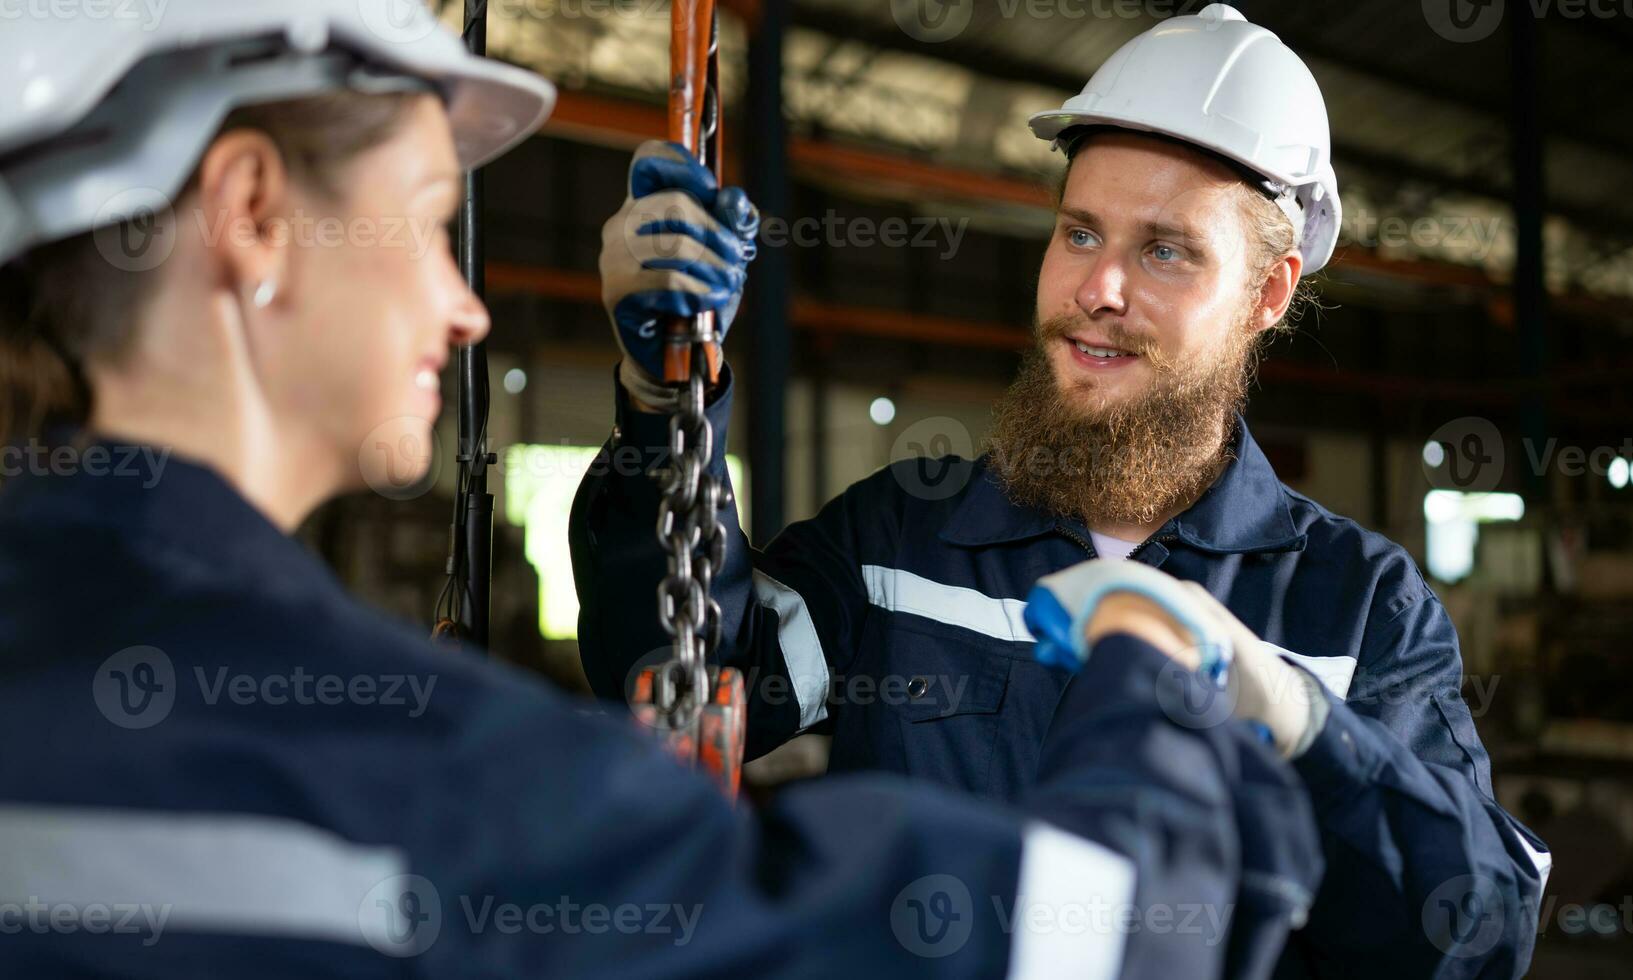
(1244, 512)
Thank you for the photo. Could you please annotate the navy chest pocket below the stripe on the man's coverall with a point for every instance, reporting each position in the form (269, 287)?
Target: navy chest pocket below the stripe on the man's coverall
(948, 702)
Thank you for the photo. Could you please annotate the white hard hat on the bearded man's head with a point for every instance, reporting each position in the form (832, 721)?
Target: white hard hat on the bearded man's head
(1232, 87)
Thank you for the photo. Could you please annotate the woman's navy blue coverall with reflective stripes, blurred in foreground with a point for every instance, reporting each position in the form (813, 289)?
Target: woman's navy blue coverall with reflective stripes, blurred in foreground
(215, 764)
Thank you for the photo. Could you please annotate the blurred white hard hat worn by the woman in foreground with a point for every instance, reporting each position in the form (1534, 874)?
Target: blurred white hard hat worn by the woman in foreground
(107, 112)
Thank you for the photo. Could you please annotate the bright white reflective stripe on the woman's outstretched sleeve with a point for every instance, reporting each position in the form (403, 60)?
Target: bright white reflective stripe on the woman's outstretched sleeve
(1066, 878)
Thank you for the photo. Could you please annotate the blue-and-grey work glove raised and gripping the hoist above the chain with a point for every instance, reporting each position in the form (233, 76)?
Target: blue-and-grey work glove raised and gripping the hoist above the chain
(677, 249)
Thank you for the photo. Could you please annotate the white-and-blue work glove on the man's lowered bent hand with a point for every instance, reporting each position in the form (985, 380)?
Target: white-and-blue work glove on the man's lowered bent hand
(1286, 705)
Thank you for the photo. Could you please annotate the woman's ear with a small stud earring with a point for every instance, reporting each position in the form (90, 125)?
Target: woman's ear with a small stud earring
(244, 189)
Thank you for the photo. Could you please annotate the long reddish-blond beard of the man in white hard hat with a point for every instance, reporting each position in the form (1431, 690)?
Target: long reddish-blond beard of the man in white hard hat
(1124, 463)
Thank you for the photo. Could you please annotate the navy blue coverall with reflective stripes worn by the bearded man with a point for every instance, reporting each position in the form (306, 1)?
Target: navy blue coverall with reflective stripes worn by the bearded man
(914, 579)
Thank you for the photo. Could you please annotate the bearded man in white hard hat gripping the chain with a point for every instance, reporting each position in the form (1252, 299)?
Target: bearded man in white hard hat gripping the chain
(1199, 192)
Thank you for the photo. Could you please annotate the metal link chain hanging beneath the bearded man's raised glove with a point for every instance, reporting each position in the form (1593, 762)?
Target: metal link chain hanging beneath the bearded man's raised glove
(690, 527)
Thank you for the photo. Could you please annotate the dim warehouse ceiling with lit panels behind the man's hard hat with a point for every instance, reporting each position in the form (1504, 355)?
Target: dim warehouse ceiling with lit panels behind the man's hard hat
(1422, 122)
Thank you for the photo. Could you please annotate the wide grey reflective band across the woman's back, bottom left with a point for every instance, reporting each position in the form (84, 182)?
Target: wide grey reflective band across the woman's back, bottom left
(202, 873)
